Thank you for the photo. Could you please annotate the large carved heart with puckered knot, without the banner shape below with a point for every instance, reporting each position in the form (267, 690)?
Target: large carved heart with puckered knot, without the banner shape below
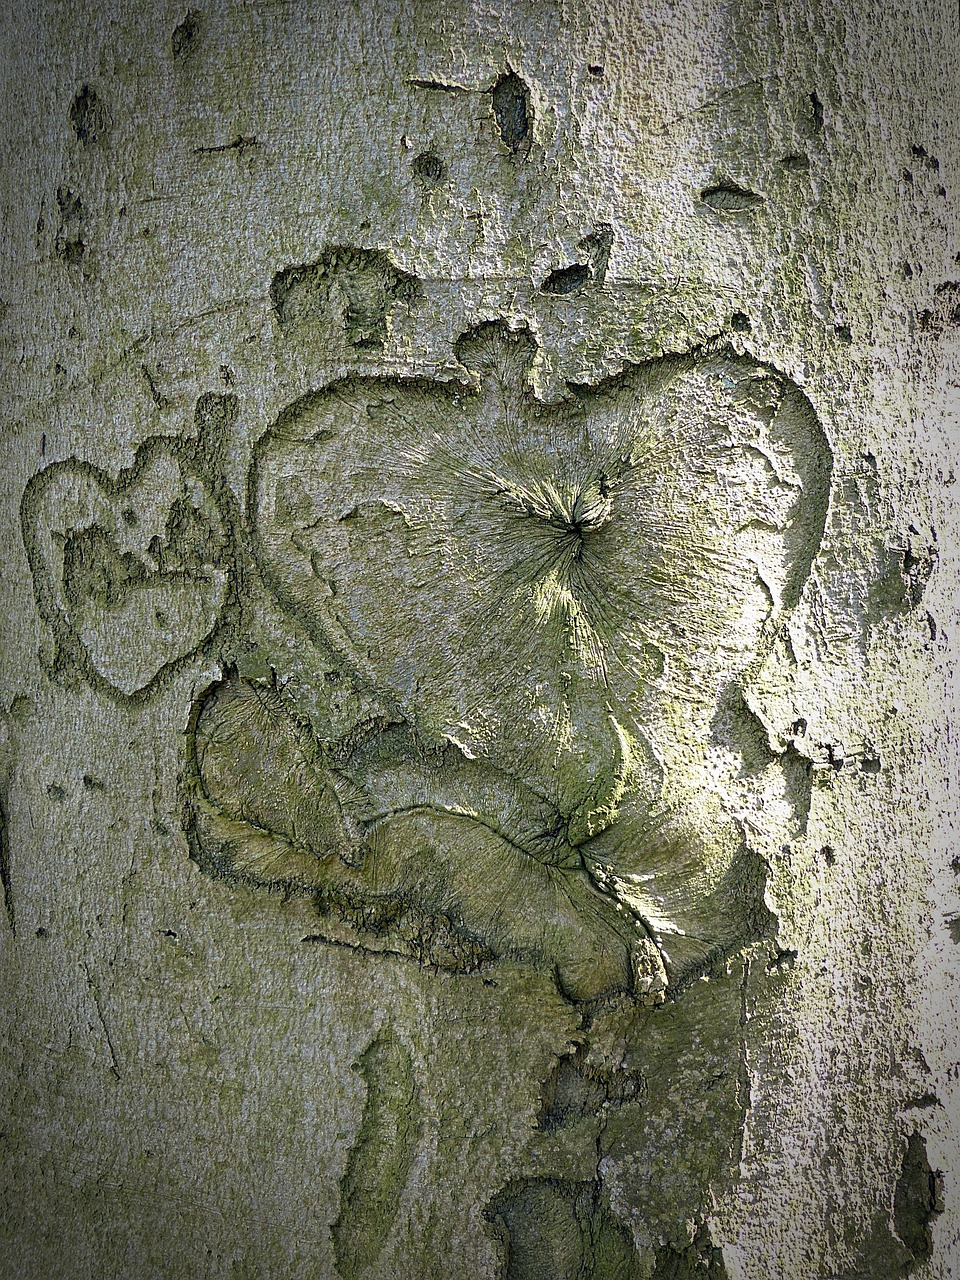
(537, 583)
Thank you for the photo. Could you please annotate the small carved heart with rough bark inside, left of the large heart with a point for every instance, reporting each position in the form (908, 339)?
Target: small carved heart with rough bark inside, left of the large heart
(130, 574)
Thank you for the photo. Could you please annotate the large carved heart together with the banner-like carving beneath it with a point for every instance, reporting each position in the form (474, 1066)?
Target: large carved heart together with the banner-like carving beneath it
(557, 602)
